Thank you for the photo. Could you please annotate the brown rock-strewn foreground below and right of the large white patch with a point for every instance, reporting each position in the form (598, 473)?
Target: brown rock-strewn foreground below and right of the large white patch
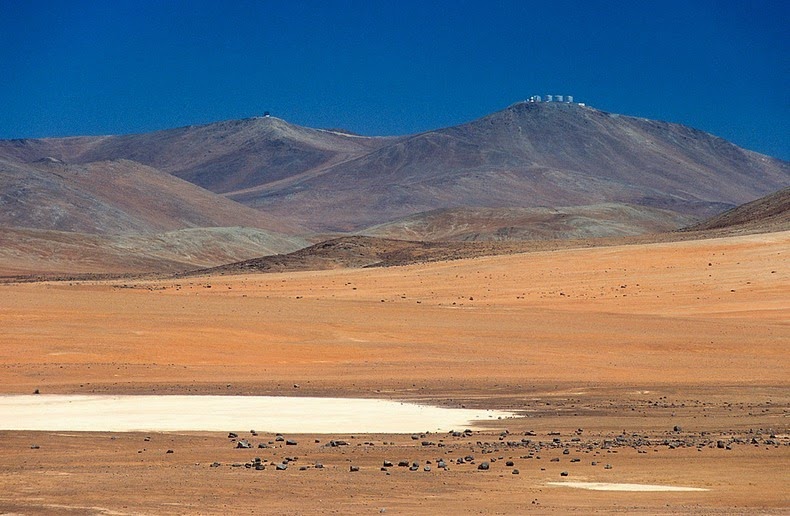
(503, 471)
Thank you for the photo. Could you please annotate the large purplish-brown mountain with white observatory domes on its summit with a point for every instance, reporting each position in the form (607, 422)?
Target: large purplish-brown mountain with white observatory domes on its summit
(530, 155)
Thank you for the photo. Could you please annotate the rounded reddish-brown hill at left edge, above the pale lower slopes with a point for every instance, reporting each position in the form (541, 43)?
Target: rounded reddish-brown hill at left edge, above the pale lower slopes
(114, 197)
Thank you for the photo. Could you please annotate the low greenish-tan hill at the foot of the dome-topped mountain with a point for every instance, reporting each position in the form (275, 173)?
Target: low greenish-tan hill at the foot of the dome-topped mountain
(572, 222)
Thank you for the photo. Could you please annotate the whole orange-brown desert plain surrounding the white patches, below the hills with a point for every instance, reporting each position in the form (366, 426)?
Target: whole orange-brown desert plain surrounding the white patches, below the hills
(589, 344)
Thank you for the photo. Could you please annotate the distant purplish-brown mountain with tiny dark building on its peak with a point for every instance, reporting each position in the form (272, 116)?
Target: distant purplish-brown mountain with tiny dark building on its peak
(224, 157)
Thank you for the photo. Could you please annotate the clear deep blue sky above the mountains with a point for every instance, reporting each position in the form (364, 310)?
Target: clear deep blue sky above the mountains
(391, 67)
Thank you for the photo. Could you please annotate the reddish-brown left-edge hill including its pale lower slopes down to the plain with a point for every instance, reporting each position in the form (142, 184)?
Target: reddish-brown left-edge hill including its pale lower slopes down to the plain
(120, 216)
